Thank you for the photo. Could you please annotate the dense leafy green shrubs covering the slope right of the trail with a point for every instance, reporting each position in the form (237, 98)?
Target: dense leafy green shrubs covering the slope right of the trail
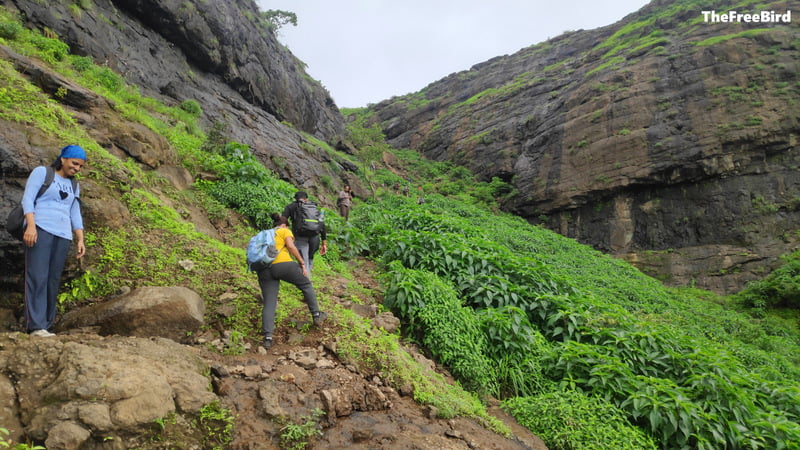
(555, 329)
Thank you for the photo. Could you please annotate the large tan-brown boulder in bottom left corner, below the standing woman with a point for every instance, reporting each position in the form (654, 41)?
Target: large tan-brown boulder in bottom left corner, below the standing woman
(71, 389)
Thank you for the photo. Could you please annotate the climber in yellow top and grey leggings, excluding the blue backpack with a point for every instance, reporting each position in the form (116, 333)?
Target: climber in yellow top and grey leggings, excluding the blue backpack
(284, 269)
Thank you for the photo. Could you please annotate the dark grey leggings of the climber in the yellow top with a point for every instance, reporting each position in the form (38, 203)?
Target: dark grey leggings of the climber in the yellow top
(270, 280)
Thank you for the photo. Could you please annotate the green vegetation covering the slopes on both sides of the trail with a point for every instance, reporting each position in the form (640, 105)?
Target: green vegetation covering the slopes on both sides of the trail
(580, 347)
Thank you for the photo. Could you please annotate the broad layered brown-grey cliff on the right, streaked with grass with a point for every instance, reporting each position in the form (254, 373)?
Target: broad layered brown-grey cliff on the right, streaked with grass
(662, 139)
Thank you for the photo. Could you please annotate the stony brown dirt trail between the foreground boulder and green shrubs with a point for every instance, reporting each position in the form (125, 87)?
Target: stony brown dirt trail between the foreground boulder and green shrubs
(300, 374)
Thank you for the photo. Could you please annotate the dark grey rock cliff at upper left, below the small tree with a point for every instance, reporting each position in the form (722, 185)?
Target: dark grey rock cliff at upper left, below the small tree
(220, 54)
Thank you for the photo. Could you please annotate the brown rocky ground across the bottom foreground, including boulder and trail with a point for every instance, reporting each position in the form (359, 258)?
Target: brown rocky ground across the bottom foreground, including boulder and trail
(85, 389)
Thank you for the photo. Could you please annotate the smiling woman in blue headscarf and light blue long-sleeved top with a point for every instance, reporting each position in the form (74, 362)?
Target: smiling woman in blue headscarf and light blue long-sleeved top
(50, 221)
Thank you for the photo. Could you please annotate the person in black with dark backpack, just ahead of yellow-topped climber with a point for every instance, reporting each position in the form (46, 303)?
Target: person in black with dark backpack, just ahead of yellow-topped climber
(308, 228)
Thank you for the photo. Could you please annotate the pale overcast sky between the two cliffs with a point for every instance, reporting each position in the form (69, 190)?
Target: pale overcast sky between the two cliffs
(365, 51)
